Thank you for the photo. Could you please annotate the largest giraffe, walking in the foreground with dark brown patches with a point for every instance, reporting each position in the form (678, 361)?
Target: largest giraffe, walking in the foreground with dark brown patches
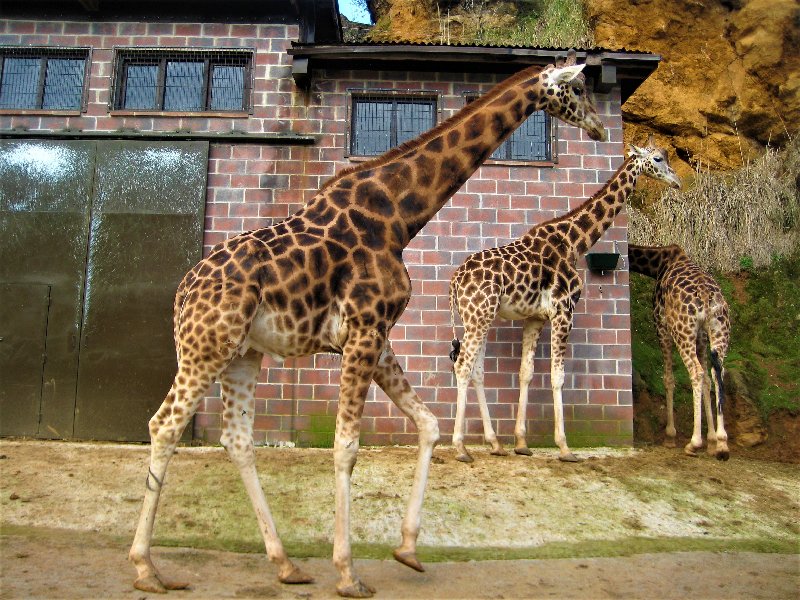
(331, 278)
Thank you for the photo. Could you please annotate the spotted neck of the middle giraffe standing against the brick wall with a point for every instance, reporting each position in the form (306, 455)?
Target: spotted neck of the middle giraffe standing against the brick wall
(584, 225)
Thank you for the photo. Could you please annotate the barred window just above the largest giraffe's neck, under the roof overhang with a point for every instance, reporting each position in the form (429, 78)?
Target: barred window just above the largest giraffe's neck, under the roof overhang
(380, 122)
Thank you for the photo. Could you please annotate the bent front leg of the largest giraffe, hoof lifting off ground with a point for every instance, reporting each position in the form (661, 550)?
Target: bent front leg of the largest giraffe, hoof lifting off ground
(389, 376)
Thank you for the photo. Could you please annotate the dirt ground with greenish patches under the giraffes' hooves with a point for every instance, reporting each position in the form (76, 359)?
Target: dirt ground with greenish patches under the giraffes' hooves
(626, 523)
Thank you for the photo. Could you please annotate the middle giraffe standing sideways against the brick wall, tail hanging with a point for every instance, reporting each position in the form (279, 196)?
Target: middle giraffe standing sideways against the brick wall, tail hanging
(534, 278)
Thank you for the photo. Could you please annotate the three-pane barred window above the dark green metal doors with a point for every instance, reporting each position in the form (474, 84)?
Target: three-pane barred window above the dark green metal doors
(183, 81)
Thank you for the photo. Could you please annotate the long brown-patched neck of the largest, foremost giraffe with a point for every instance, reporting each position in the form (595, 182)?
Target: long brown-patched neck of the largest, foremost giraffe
(409, 184)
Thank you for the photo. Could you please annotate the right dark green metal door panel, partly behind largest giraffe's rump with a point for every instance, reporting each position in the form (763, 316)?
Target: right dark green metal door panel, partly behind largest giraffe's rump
(146, 232)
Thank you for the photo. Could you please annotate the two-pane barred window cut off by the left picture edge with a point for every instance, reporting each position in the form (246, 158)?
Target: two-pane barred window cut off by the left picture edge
(42, 78)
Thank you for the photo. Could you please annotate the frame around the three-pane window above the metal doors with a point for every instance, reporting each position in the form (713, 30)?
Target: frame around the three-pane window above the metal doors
(160, 57)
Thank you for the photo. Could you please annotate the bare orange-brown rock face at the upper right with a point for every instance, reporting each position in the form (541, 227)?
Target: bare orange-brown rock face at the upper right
(729, 82)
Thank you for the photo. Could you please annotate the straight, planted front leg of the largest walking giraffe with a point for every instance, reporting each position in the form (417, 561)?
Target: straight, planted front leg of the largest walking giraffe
(359, 360)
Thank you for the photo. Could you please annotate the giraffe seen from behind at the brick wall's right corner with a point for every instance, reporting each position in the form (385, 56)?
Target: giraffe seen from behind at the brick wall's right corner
(689, 309)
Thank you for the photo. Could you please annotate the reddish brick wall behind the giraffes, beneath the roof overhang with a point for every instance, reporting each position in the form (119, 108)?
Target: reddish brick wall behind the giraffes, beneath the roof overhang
(499, 203)
